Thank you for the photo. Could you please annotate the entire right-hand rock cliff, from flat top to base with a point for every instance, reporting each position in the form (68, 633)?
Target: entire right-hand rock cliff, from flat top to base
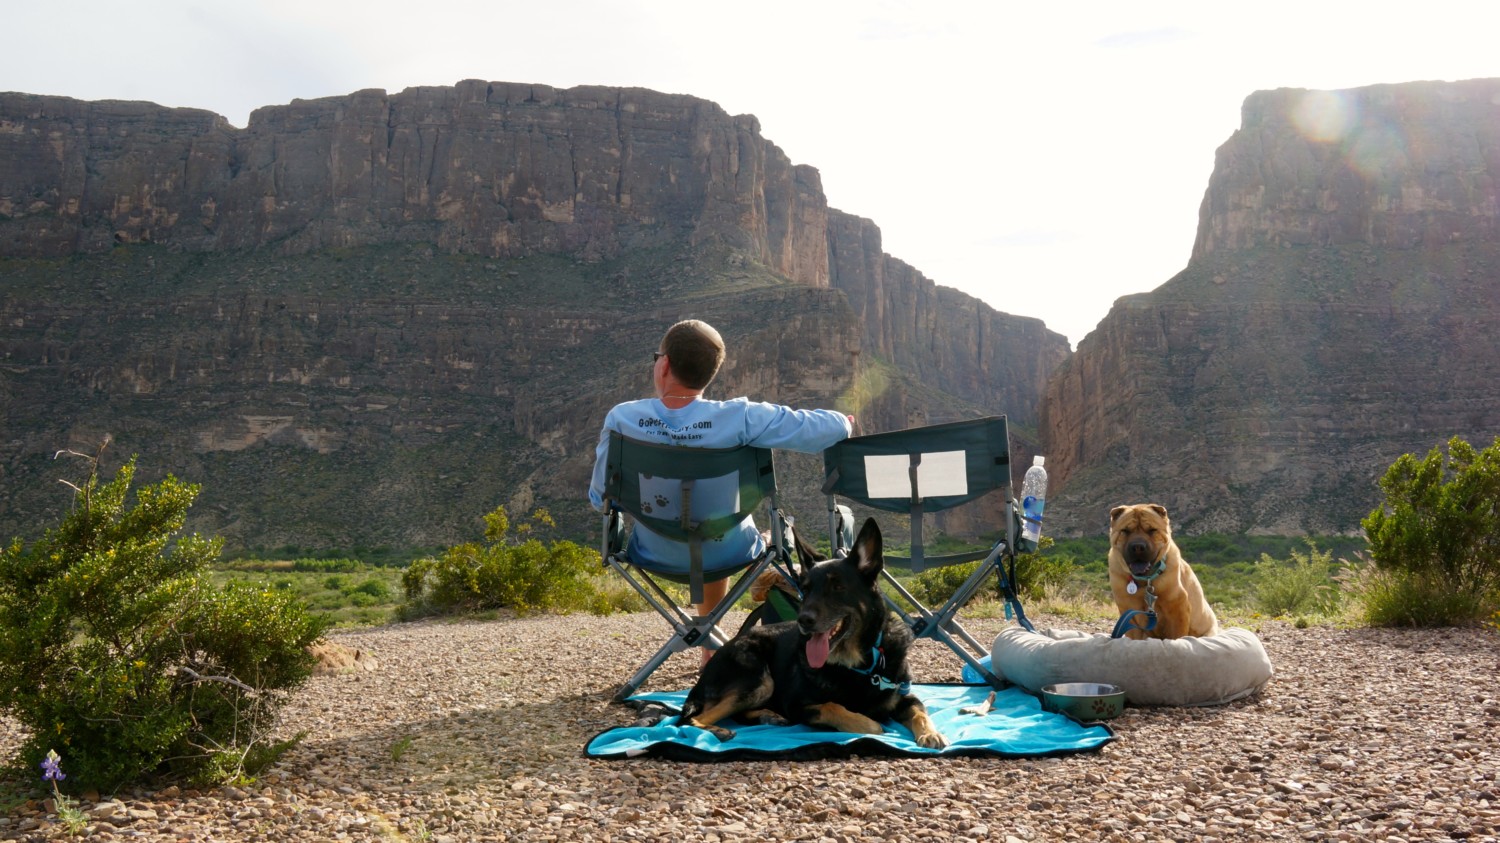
(1340, 310)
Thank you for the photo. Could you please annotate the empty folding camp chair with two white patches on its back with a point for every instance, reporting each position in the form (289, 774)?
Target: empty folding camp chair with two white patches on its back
(923, 470)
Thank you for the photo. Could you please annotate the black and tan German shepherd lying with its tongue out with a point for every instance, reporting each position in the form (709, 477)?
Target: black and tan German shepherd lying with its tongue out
(841, 665)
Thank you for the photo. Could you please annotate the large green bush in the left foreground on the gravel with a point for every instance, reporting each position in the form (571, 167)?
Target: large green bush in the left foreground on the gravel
(118, 653)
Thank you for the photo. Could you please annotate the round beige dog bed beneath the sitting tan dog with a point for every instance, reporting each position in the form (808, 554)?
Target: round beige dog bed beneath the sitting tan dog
(1186, 671)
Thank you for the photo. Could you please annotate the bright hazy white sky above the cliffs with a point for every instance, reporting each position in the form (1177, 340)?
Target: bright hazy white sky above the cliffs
(1046, 158)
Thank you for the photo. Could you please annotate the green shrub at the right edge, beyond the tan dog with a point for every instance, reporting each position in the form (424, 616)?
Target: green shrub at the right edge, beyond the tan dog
(1435, 542)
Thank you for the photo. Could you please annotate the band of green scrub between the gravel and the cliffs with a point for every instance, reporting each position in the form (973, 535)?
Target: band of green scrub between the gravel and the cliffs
(1244, 577)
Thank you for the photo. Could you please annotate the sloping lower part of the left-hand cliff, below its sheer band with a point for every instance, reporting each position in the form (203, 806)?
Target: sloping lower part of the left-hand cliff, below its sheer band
(355, 418)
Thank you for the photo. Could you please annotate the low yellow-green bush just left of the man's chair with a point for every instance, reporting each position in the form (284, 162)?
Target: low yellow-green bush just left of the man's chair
(505, 574)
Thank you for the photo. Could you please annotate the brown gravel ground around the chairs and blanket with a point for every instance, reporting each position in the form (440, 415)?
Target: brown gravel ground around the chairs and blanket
(475, 731)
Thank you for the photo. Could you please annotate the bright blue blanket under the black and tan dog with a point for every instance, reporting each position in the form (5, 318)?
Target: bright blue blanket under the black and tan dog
(1016, 727)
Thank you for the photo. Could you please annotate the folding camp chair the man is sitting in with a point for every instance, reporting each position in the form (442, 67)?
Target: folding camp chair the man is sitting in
(689, 496)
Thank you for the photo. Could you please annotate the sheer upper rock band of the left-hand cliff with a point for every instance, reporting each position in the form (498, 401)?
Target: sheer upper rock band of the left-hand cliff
(487, 169)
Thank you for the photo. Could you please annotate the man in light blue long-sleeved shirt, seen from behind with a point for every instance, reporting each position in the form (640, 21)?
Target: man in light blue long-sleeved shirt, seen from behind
(683, 367)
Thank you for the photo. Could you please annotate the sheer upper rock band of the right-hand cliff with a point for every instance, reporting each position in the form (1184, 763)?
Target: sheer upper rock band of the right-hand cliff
(1390, 167)
